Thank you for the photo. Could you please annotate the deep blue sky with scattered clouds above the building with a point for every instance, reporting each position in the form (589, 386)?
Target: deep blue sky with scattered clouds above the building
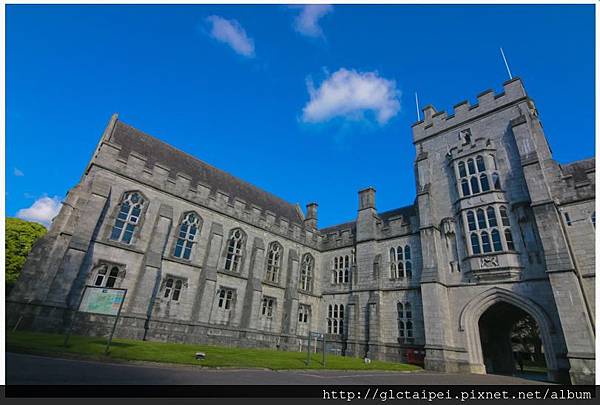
(231, 85)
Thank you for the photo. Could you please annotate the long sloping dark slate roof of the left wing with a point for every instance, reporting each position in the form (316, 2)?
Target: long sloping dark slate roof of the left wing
(156, 151)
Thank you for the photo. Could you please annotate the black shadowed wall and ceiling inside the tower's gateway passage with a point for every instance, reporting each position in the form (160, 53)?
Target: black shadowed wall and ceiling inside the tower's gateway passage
(495, 327)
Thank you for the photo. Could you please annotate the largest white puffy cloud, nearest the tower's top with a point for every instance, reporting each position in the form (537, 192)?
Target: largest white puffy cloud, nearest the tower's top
(348, 93)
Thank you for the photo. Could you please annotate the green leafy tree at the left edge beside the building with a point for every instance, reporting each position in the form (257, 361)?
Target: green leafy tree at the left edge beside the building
(20, 237)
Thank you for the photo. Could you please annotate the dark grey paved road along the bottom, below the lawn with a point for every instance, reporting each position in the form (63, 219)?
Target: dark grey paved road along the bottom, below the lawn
(29, 369)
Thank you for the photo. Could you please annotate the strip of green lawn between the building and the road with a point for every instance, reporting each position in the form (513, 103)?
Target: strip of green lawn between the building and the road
(216, 356)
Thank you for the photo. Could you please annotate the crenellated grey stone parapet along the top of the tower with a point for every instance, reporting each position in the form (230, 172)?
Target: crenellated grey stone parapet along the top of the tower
(435, 121)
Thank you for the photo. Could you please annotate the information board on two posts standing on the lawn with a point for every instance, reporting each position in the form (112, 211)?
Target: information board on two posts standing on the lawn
(102, 301)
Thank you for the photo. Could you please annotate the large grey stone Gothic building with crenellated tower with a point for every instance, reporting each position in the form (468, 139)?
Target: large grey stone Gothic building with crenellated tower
(498, 230)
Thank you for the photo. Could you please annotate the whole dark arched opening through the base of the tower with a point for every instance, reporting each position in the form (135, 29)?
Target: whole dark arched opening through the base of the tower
(511, 343)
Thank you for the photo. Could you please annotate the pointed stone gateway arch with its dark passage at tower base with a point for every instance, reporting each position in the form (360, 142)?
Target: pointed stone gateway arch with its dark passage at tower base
(488, 341)
